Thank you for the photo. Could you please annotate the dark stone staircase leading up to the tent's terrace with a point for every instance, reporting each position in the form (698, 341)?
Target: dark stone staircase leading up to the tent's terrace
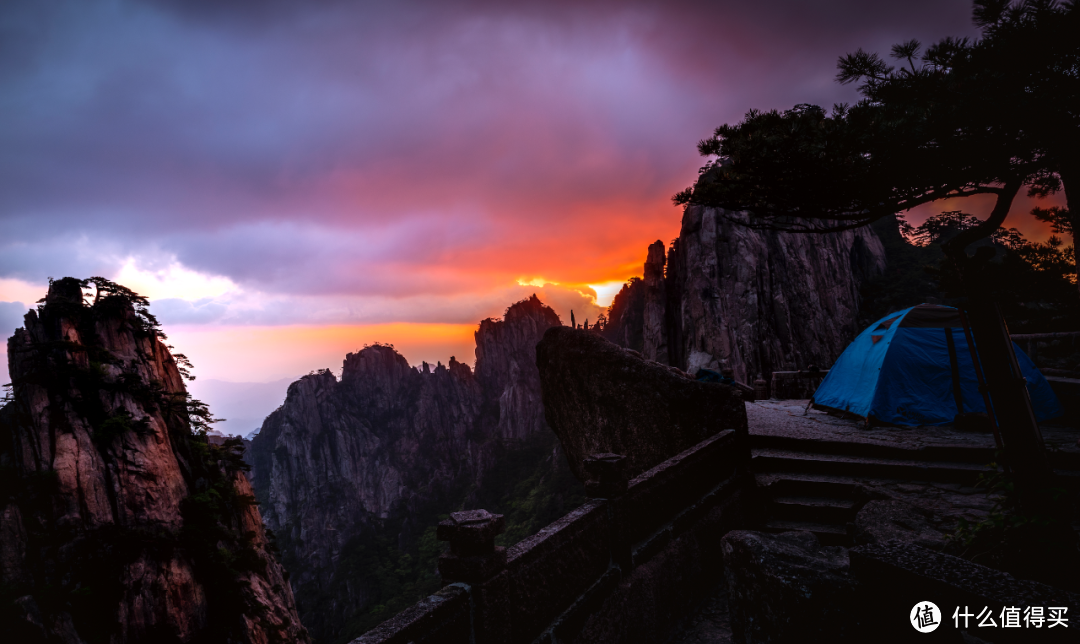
(819, 486)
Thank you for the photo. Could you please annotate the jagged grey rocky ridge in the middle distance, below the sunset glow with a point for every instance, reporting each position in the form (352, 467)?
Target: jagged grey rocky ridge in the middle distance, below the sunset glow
(354, 473)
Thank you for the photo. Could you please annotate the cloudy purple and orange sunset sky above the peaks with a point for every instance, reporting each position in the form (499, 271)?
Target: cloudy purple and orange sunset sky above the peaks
(291, 181)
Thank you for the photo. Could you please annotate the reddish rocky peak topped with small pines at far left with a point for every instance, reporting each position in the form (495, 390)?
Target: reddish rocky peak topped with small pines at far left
(118, 524)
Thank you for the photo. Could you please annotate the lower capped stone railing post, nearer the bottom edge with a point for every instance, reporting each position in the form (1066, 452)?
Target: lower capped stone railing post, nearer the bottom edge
(476, 560)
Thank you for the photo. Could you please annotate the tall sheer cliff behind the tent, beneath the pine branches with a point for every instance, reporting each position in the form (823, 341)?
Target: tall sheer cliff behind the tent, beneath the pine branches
(751, 301)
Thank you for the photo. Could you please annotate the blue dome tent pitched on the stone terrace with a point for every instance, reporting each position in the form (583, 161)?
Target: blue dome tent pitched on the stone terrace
(914, 368)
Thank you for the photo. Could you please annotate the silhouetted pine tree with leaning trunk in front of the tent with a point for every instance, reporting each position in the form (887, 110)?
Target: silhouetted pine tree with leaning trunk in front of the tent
(990, 117)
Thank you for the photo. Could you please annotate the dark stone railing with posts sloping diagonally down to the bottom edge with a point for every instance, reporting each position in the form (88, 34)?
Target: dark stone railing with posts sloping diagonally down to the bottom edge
(625, 567)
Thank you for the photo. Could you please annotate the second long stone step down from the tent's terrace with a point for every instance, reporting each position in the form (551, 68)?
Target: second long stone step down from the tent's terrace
(791, 462)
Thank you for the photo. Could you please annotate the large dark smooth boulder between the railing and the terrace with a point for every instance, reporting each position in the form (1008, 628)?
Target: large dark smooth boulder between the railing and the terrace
(601, 398)
